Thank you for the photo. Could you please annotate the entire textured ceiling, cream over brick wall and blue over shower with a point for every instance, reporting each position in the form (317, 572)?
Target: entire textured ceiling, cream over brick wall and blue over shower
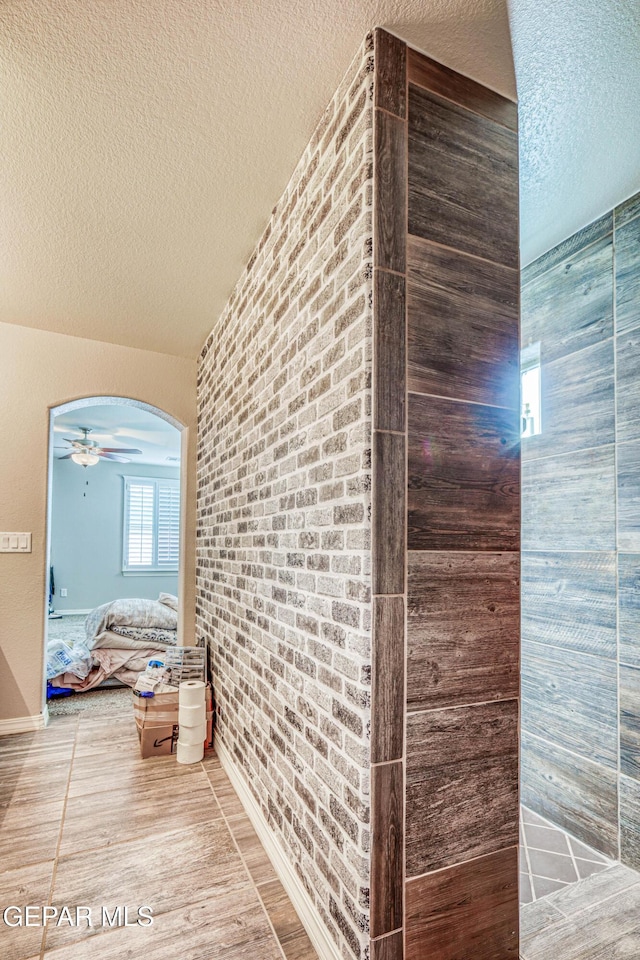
(143, 145)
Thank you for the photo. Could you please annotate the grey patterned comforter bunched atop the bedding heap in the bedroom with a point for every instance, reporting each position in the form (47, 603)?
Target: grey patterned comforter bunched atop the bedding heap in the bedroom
(155, 622)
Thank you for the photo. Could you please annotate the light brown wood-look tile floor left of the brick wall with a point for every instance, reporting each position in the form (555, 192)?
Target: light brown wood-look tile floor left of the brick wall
(85, 822)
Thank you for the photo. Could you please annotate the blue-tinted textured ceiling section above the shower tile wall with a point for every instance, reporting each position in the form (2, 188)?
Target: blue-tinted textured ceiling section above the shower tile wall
(578, 69)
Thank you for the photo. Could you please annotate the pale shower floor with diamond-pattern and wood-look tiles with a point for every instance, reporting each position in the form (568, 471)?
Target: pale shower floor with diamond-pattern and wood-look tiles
(578, 905)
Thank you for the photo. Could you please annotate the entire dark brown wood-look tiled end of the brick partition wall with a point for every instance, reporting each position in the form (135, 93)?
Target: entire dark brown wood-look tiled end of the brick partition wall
(446, 156)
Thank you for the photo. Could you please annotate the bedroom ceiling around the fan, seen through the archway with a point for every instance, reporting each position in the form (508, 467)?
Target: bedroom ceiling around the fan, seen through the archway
(120, 426)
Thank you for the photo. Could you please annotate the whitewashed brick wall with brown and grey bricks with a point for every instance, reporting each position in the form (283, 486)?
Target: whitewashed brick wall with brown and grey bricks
(284, 528)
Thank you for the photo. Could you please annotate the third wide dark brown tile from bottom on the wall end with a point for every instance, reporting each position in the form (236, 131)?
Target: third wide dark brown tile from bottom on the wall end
(462, 628)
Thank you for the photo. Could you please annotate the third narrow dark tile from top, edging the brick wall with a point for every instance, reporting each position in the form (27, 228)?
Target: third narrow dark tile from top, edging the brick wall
(389, 360)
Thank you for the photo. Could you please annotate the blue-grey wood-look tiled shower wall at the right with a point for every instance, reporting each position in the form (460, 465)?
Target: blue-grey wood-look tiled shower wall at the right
(581, 537)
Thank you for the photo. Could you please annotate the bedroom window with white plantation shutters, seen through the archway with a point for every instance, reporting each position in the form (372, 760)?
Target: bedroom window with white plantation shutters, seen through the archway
(151, 529)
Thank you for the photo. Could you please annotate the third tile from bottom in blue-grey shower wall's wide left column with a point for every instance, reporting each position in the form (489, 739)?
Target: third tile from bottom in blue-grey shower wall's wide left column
(569, 601)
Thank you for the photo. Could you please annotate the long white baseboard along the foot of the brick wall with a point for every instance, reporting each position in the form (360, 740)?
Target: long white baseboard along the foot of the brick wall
(302, 903)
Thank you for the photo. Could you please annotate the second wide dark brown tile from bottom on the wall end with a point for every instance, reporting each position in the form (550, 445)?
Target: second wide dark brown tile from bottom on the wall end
(461, 784)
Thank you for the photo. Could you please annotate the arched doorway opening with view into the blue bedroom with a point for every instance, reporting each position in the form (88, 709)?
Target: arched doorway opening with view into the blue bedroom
(114, 548)
